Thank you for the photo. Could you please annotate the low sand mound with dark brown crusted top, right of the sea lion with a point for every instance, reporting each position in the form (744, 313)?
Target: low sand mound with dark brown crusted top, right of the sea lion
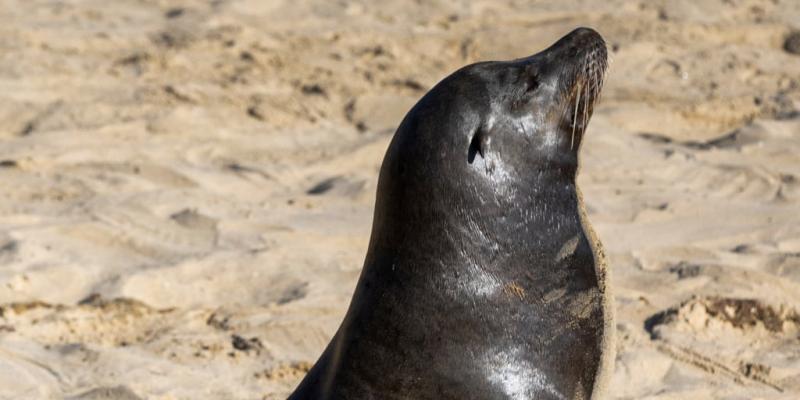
(731, 338)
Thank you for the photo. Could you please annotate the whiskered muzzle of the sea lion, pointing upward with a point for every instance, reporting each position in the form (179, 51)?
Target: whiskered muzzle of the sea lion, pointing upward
(583, 82)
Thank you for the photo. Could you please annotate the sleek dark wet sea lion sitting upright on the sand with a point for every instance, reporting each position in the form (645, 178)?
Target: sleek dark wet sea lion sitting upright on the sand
(483, 279)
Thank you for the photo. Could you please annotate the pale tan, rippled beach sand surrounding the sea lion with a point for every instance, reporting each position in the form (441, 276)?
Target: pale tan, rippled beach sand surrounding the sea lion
(186, 187)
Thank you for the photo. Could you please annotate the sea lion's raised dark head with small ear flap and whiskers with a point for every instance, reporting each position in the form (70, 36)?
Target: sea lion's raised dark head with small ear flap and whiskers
(498, 127)
